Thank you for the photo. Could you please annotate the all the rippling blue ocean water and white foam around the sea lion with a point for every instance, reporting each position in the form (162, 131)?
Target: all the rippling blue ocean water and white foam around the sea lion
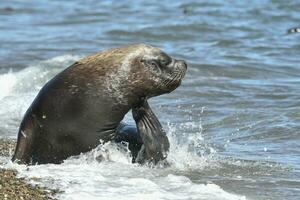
(234, 124)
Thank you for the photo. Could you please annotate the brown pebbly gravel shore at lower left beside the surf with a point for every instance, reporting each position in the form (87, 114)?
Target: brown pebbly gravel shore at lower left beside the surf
(13, 188)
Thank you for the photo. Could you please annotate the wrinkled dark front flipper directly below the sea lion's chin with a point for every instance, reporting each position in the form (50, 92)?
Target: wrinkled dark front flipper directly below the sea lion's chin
(156, 144)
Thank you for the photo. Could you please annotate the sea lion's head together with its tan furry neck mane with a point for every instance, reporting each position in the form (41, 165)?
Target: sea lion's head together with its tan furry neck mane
(132, 72)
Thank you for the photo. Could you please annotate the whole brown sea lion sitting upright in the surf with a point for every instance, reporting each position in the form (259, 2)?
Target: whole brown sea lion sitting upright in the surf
(85, 104)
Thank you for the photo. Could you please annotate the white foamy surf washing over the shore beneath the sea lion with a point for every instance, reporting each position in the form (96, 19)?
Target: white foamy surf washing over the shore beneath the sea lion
(115, 177)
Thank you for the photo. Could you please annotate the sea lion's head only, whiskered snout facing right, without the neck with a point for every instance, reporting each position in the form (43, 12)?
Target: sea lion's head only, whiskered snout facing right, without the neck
(153, 72)
